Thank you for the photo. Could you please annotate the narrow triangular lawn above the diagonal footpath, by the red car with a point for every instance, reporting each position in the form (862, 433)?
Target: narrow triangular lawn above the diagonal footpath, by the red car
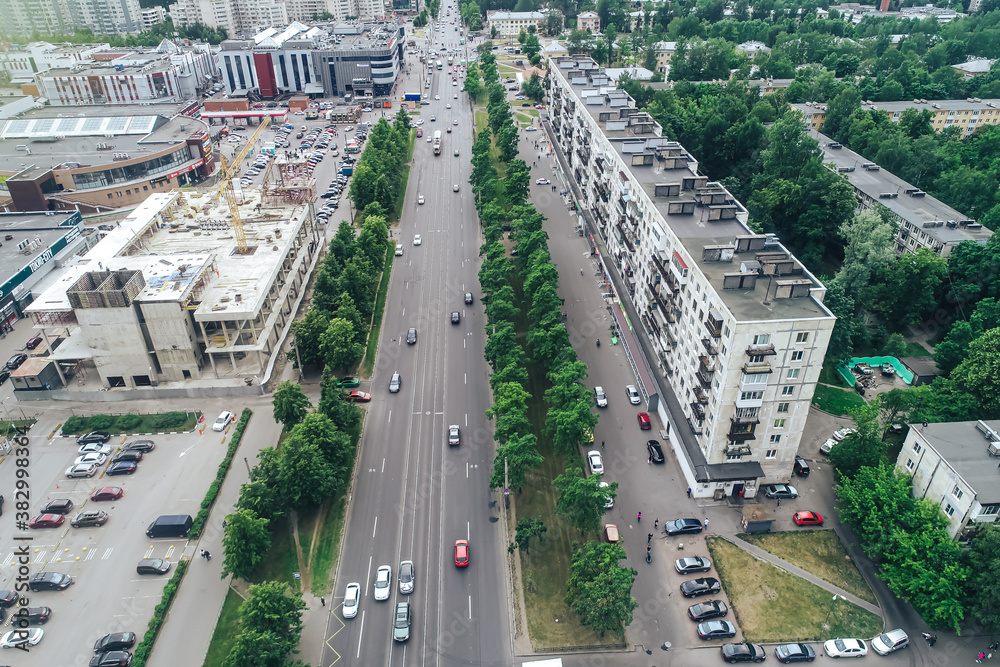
(817, 551)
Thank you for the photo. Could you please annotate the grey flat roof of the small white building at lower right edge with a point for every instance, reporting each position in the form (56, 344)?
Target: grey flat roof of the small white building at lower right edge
(963, 445)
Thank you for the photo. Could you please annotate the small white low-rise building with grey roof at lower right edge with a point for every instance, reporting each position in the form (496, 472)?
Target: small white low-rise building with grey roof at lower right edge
(956, 466)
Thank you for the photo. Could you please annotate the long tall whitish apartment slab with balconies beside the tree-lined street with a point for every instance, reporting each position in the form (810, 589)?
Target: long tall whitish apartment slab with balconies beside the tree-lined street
(725, 328)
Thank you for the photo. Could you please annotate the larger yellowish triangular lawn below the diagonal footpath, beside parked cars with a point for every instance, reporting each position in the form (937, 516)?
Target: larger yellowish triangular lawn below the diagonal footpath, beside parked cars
(772, 605)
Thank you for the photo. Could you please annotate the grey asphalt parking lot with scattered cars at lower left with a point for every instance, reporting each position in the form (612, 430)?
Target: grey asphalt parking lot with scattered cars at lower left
(108, 595)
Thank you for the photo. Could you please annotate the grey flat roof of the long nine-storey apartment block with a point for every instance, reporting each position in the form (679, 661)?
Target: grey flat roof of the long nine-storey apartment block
(694, 230)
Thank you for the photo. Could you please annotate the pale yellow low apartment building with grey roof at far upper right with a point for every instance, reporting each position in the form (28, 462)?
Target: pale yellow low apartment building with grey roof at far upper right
(967, 115)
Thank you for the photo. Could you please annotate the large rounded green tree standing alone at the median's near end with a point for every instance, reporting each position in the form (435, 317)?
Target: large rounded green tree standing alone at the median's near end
(599, 589)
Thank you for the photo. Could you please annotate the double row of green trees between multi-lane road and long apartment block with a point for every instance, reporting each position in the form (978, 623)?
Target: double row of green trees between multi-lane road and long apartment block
(525, 289)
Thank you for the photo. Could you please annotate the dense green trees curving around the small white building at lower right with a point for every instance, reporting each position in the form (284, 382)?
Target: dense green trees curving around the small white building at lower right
(907, 537)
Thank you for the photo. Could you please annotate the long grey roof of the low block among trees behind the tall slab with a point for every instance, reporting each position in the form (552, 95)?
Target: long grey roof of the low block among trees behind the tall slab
(917, 210)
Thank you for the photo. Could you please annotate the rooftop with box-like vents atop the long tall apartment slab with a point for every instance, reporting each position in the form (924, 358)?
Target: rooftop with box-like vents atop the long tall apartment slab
(655, 163)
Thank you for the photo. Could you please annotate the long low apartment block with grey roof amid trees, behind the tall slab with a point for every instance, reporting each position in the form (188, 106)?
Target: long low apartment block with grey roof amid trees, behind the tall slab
(922, 221)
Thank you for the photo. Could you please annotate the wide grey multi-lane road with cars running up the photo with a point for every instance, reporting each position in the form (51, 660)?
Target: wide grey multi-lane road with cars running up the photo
(415, 495)
